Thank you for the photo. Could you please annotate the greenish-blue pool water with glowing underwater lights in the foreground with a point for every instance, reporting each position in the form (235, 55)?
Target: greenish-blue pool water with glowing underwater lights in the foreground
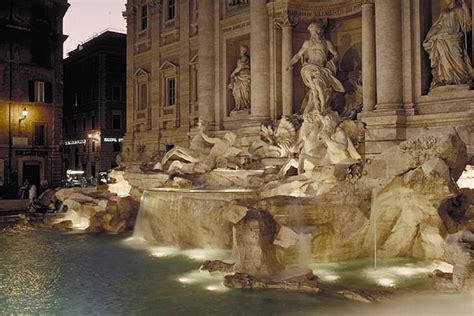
(76, 274)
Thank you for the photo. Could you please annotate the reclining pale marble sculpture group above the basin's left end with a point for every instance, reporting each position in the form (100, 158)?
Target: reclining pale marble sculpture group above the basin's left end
(204, 154)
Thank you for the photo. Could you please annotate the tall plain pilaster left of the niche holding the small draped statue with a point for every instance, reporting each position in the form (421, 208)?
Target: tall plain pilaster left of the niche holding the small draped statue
(206, 71)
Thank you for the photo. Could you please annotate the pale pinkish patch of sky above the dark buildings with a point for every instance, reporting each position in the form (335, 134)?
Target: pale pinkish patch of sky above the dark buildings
(85, 18)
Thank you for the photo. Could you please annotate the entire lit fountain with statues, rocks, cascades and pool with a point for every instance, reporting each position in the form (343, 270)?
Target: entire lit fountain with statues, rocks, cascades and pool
(298, 221)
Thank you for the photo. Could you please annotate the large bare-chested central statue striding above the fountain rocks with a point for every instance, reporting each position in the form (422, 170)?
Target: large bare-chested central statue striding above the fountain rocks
(319, 69)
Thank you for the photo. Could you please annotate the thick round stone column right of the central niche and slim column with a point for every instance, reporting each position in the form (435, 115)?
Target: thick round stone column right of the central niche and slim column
(388, 38)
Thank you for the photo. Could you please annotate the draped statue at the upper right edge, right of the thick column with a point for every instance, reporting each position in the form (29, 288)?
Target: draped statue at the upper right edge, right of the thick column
(446, 44)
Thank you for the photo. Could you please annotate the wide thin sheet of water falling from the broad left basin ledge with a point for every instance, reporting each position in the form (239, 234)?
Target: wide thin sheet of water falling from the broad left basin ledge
(186, 218)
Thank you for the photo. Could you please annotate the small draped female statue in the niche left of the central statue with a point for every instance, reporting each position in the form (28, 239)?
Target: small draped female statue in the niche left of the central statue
(240, 81)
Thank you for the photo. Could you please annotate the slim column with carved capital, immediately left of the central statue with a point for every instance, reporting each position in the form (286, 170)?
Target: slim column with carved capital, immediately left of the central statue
(287, 76)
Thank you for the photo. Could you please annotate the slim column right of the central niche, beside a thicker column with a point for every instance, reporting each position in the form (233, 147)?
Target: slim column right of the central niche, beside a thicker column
(369, 84)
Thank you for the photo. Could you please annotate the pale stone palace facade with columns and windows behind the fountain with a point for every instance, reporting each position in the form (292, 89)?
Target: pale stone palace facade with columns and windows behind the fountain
(182, 54)
